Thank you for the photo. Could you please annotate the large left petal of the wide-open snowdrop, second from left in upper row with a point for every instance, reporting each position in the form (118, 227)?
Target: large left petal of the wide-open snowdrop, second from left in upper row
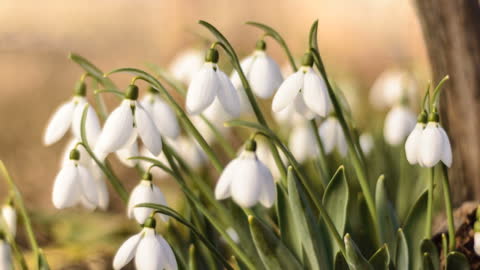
(117, 131)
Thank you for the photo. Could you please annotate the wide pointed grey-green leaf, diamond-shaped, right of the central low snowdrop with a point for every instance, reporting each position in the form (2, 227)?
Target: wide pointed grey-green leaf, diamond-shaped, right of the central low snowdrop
(336, 199)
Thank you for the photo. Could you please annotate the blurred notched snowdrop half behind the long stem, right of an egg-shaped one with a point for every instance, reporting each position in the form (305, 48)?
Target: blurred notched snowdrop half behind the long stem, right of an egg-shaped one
(332, 136)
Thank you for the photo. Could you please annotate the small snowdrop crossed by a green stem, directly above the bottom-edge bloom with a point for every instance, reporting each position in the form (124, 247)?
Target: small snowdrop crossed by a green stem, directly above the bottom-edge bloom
(145, 192)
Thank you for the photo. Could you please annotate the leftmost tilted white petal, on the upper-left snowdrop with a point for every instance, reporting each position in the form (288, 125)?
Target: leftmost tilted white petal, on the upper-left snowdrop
(59, 123)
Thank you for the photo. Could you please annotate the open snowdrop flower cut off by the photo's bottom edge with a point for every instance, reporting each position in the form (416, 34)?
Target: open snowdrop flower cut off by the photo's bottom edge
(151, 251)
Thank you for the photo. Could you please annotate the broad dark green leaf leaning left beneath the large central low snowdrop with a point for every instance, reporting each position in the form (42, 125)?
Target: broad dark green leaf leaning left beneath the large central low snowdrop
(272, 251)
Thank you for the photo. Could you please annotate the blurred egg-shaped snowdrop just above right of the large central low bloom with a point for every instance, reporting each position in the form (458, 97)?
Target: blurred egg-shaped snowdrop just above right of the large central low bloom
(302, 142)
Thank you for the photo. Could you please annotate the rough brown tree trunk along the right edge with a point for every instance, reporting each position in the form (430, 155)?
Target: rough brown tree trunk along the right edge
(451, 29)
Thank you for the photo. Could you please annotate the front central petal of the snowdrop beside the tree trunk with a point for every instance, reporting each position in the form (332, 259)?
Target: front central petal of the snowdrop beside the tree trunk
(431, 145)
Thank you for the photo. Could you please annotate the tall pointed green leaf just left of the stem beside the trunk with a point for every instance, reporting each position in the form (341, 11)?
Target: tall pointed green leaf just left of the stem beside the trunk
(415, 230)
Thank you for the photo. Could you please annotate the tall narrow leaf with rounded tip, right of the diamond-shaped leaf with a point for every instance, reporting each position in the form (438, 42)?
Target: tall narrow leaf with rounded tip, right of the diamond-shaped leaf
(386, 215)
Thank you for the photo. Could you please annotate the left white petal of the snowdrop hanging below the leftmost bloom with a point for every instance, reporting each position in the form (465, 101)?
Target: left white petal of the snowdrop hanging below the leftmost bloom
(66, 188)
